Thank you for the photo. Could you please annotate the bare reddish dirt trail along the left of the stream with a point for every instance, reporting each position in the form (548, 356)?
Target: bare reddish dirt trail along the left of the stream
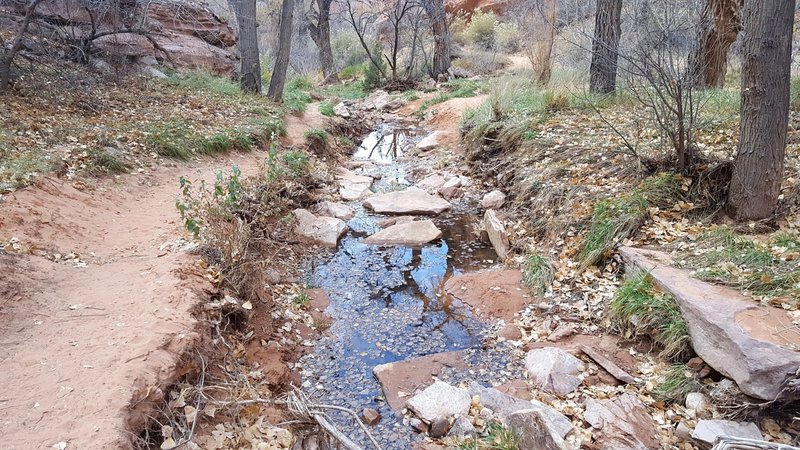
(85, 350)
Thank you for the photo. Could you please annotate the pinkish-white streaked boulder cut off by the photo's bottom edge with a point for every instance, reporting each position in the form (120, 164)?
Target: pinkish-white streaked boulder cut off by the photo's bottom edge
(622, 423)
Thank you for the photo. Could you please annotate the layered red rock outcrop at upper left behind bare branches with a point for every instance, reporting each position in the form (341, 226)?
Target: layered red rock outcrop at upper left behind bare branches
(183, 33)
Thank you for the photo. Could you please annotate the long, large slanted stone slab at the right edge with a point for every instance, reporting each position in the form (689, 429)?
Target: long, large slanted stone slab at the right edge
(733, 334)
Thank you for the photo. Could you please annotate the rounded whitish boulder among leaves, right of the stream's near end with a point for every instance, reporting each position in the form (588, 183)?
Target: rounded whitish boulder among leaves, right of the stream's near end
(554, 370)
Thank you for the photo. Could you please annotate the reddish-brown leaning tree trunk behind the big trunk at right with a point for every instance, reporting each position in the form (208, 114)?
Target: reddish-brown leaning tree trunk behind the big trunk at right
(719, 26)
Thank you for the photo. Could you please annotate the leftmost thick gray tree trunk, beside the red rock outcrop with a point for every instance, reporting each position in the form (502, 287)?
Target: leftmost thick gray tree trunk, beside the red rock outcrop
(245, 11)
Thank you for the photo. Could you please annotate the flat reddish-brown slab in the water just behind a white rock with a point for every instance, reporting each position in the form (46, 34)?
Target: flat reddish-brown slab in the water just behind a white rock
(400, 379)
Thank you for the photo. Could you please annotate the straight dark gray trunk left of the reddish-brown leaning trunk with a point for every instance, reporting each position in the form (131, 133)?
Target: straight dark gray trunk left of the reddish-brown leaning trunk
(605, 45)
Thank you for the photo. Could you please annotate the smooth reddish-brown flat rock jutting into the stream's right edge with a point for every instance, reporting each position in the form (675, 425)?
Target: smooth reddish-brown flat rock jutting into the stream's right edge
(493, 293)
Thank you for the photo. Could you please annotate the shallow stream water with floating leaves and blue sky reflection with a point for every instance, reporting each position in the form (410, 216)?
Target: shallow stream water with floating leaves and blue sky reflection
(387, 305)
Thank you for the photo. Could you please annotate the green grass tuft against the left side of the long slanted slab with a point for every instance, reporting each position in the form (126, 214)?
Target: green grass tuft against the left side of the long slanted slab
(640, 307)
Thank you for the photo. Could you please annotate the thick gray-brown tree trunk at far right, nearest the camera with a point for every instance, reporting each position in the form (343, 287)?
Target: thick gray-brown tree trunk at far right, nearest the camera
(766, 63)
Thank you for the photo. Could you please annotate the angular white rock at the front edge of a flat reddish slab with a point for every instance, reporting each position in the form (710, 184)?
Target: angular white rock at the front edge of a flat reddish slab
(439, 401)
